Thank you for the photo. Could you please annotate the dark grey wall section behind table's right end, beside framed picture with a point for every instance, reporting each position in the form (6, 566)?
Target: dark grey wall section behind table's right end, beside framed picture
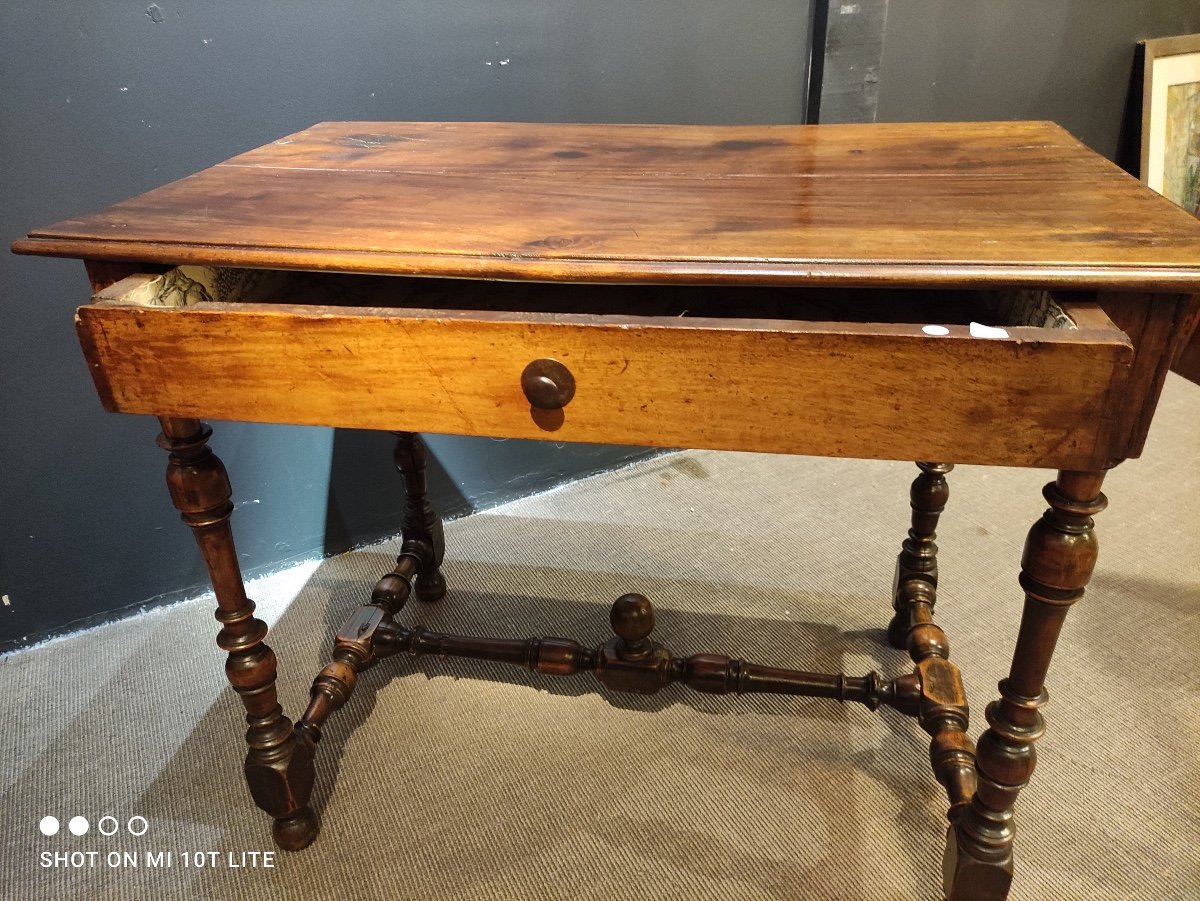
(1066, 61)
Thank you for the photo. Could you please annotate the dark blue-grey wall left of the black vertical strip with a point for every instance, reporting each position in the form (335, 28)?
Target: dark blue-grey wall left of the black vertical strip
(103, 100)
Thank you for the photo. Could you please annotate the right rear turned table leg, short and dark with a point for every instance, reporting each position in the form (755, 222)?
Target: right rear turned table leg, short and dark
(916, 575)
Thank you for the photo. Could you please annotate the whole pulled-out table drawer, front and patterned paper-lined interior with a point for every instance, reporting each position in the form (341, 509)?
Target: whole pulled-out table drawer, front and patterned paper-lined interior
(973, 377)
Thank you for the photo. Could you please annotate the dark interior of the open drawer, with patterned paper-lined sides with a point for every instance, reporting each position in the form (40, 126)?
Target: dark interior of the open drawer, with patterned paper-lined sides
(191, 286)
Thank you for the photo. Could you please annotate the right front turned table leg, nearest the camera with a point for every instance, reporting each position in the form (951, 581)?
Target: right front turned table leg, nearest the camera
(1058, 562)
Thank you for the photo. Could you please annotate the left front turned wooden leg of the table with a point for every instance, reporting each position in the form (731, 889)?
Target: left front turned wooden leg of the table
(279, 766)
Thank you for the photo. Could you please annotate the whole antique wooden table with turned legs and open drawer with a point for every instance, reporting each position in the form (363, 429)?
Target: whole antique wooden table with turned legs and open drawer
(989, 293)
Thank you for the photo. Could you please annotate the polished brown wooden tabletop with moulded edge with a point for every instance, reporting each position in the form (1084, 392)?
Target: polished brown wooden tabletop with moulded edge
(905, 205)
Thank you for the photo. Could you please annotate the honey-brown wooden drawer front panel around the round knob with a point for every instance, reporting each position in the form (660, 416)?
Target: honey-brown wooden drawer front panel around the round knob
(1035, 398)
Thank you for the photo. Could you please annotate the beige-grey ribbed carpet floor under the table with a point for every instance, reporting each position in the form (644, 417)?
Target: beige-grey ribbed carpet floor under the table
(464, 780)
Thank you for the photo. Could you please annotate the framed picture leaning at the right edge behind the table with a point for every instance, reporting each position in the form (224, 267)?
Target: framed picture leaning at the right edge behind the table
(1171, 124)
